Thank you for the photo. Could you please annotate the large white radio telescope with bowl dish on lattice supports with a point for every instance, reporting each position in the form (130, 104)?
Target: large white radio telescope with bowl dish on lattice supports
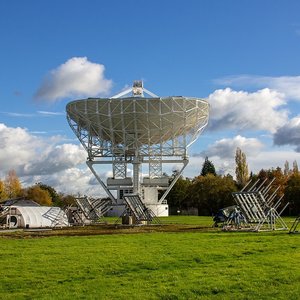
(138, 136)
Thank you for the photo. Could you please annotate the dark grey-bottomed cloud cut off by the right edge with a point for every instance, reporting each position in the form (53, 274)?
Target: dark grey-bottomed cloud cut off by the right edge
(289, 134)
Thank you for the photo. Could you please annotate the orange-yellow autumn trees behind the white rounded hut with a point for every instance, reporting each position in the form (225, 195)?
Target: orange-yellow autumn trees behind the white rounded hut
(11, 188)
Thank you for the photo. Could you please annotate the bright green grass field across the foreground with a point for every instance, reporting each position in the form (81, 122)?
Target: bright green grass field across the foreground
(191, 261)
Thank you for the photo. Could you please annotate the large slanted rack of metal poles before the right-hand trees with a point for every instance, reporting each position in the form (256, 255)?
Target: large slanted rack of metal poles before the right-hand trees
(259, 203)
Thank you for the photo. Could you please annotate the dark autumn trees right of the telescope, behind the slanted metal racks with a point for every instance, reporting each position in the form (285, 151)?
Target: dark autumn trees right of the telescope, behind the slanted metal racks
(208, 192)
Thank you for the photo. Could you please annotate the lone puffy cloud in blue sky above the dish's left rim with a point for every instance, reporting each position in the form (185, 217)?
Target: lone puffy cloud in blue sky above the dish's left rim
(77, 77)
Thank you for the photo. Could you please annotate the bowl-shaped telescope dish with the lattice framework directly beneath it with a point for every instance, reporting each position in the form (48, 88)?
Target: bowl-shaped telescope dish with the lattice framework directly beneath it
(151, 126)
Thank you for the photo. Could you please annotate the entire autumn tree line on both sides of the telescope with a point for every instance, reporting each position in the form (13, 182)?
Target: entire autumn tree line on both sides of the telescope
(204, 194)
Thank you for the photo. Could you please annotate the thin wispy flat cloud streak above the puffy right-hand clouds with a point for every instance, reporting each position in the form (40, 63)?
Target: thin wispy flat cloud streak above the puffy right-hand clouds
(287, 85)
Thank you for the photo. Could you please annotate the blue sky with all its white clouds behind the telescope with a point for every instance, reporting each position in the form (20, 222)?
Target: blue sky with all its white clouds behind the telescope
(241, 56)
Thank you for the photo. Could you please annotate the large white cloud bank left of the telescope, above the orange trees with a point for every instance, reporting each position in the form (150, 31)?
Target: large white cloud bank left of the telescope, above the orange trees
(42, 159)
